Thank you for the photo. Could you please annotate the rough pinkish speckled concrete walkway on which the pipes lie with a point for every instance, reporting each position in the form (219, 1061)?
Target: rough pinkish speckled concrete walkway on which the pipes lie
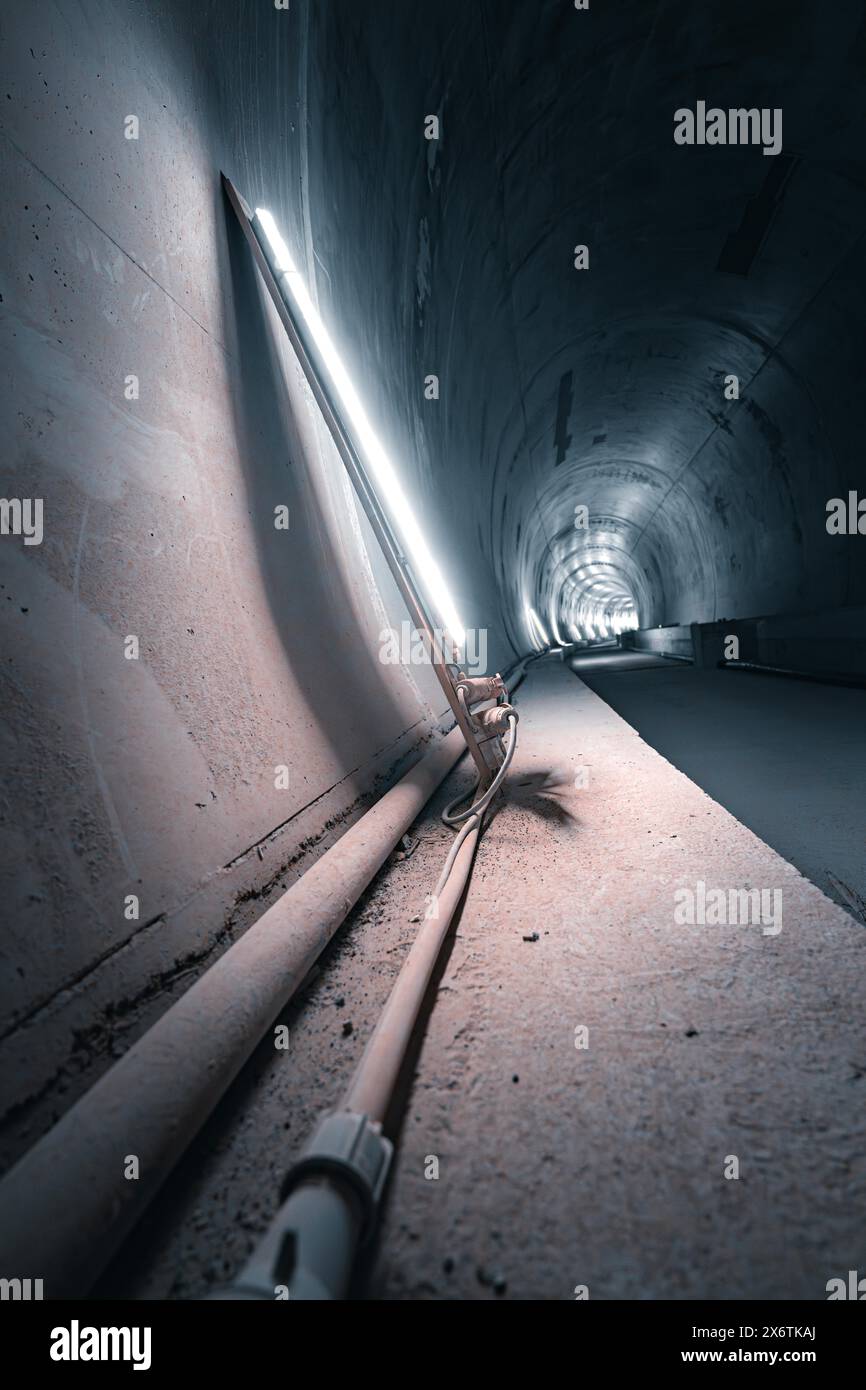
(558, 1166)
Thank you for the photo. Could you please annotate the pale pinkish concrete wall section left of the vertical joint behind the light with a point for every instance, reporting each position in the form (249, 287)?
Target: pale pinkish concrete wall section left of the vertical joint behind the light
(259, 648)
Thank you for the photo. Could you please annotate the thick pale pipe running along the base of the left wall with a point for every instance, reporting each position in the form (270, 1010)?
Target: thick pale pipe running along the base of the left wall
(66, 1206)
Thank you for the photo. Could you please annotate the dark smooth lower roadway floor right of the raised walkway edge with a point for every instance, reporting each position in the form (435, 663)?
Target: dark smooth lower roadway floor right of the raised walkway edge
(785, 757)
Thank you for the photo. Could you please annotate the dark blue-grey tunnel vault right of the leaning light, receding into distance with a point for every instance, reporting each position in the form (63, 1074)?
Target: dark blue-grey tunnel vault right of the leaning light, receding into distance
(605, 389)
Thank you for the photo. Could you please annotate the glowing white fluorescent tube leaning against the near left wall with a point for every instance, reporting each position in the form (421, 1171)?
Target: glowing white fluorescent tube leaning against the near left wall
(382, 468)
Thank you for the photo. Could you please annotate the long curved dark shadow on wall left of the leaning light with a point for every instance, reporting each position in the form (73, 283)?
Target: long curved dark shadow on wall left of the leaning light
(336, 669)
